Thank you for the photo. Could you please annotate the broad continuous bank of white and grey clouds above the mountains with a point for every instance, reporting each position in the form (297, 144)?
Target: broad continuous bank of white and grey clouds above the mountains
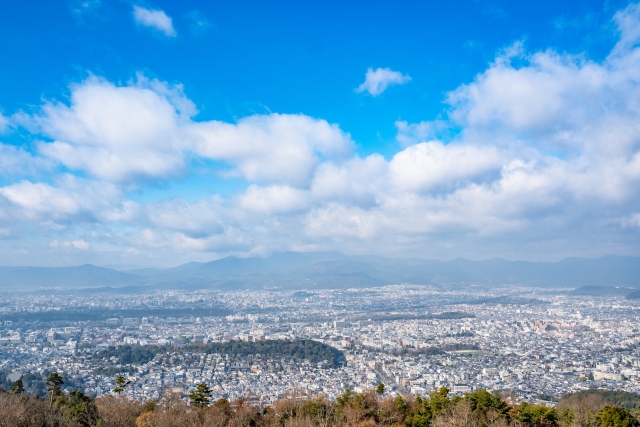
(545, 164)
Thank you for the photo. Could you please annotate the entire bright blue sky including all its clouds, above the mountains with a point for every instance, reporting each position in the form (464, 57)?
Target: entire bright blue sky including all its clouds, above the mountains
(162, 132)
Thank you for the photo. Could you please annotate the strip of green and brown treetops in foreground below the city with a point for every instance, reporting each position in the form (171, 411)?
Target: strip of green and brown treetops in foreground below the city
(477, 409)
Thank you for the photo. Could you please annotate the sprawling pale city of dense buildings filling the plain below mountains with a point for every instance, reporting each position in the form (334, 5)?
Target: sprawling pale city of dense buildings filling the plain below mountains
(536, 344)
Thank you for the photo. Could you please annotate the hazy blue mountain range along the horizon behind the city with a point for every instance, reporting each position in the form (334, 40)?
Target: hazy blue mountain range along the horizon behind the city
(297, 270)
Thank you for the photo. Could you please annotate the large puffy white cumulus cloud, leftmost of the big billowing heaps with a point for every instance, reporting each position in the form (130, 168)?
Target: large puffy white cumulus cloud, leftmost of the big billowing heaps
(117, 132)
